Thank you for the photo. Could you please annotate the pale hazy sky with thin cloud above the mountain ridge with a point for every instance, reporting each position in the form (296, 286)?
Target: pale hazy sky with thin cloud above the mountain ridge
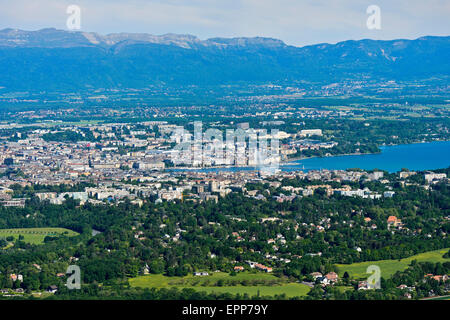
(297, 22)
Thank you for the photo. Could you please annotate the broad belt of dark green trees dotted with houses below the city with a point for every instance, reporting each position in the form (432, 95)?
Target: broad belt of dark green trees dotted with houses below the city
(133, 238)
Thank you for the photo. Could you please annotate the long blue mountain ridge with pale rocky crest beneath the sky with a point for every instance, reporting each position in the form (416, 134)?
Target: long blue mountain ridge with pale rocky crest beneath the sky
(57, 60)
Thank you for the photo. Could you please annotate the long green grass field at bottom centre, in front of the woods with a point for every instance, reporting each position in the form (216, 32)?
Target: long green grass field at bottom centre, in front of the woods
(265, 284)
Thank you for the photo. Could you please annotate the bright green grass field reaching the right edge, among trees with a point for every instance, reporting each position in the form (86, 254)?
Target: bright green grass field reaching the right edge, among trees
(390, 267)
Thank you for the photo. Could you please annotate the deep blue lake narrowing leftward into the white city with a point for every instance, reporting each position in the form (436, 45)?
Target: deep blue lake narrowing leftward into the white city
(418, 156)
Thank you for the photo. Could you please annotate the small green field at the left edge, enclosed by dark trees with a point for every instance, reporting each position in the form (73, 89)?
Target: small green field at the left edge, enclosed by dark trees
(36, 235)
